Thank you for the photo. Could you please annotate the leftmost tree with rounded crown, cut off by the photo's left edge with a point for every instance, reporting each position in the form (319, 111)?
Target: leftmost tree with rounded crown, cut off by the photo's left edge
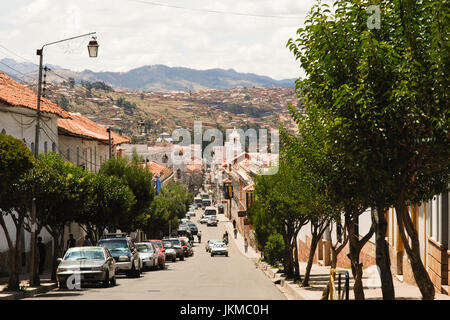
(15, 160)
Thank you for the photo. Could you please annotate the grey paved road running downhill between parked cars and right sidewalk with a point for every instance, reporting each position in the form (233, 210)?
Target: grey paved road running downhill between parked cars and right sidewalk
(200, 277)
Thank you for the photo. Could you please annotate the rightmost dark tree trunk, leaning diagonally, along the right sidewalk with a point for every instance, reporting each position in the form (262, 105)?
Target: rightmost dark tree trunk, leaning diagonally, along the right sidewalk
(421, 276)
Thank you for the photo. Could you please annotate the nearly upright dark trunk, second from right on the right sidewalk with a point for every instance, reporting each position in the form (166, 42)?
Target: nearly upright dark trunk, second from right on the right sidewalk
(382, 252)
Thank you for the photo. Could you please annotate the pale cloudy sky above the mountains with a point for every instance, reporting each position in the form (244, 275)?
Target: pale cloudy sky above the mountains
(133, 33)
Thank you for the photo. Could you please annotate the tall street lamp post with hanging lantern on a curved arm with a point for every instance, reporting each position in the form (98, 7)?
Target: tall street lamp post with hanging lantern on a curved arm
(93, 51)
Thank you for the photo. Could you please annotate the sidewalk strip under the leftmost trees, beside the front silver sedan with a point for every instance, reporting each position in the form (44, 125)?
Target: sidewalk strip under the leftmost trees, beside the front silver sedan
(46, 285)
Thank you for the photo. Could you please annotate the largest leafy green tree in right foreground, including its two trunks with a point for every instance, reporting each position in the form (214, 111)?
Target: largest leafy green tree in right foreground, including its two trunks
(390, 113)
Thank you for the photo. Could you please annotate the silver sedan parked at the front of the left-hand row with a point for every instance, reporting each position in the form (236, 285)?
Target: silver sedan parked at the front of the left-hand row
(93, 264)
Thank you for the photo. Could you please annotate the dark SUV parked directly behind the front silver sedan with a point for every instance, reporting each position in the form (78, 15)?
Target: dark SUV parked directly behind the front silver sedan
(124, 253)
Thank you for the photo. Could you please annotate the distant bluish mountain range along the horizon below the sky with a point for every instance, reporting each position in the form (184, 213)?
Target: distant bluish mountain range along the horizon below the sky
(153, 77)
